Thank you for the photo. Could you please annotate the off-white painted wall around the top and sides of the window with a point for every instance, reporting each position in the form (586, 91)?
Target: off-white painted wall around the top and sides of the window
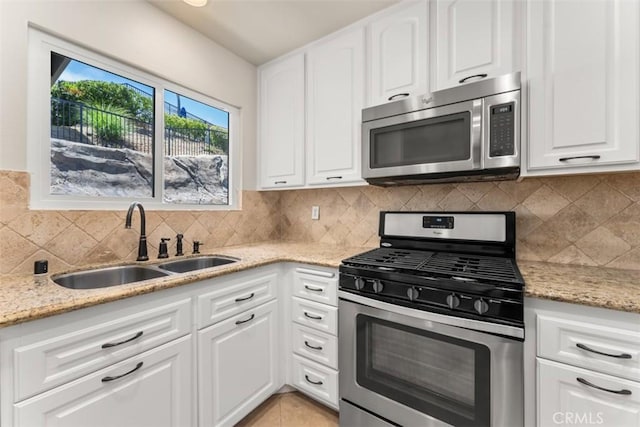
(134, 32)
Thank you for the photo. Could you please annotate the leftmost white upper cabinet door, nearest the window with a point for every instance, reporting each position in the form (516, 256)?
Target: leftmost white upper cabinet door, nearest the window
(281, 132)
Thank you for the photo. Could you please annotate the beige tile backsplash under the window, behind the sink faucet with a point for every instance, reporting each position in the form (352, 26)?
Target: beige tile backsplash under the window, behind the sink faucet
(71, 239)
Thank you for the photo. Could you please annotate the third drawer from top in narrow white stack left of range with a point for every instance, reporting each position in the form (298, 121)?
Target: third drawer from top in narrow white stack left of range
(315, 345)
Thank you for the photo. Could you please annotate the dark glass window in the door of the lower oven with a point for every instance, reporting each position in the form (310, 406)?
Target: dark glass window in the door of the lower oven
(441, 376)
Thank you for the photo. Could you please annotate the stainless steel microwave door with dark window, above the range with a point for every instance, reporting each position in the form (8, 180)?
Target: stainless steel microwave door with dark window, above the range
(436, 140)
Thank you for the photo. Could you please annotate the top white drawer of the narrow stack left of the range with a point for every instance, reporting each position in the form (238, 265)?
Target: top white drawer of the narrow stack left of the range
(316, 285)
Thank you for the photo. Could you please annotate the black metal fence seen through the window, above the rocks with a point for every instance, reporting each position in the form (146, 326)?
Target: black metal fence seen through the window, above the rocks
(78, 122)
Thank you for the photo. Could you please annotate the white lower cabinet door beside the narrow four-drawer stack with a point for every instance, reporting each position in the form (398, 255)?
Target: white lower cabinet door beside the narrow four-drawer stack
(237, 365)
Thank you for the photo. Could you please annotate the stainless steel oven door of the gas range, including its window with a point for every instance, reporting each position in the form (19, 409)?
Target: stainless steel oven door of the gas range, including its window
(412, 371)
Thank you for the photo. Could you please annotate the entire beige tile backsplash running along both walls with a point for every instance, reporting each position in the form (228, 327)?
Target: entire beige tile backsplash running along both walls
(589, 220)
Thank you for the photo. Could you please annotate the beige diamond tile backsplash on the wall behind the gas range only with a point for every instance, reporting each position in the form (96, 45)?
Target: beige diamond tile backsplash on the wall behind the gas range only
(587, 220)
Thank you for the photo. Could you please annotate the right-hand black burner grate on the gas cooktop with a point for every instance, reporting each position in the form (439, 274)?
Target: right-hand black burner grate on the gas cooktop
(473, 266)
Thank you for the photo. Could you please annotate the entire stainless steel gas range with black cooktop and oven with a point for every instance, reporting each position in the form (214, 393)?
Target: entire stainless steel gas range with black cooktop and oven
(431, 324)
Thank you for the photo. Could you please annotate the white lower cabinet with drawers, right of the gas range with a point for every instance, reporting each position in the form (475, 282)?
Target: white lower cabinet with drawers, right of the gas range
(584, 364)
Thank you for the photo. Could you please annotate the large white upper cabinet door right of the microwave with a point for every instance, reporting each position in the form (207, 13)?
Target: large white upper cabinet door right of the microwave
(584, 91)
